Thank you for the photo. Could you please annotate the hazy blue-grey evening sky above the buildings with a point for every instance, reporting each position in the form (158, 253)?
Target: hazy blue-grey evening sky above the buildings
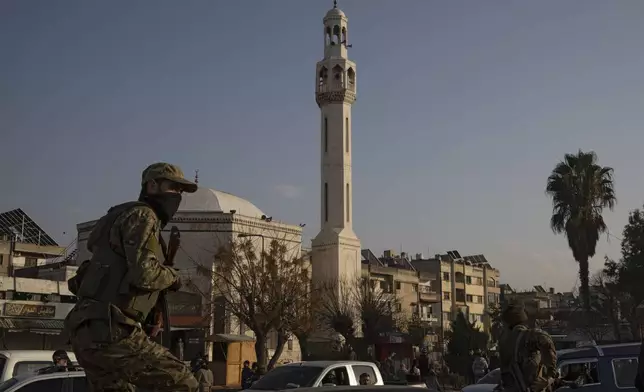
(463, 109)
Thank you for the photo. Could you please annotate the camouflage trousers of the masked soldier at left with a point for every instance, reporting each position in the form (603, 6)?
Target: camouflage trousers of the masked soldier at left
(130, 362)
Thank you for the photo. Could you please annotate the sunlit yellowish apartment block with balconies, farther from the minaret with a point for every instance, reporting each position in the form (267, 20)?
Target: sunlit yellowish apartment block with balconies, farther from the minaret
(466, 284)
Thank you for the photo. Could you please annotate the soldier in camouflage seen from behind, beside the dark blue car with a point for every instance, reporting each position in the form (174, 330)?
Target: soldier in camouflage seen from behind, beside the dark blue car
(527, 356)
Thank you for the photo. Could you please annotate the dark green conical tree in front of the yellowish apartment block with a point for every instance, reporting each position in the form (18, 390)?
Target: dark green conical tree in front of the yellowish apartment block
(463, 338)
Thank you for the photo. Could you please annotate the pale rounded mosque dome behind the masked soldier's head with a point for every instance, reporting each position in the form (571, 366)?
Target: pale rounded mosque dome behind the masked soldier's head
(211, 200)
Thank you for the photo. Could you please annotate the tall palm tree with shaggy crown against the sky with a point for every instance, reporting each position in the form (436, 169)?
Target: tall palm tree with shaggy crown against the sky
(580, 190)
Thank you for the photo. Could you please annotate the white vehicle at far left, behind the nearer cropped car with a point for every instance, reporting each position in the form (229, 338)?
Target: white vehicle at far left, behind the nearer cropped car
(18, 362)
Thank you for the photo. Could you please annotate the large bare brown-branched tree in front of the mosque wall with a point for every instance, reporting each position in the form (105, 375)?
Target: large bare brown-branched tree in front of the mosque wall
(260, 289)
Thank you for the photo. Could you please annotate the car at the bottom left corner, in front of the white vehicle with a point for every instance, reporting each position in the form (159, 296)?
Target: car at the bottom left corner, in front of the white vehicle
(74, 381)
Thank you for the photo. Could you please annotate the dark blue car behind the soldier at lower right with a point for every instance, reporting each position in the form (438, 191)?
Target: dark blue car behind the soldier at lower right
(610, 368)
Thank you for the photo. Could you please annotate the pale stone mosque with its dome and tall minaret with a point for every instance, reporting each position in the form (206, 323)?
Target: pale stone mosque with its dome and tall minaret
(209, 218)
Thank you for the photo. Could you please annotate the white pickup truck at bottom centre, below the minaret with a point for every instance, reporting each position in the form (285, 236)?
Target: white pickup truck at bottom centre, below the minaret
(317, 374)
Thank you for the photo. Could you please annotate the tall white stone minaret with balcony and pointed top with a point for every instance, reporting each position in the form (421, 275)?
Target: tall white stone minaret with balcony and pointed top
(336, 249)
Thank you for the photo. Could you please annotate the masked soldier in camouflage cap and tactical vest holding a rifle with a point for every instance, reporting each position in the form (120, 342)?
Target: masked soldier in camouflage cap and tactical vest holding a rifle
(118, 287)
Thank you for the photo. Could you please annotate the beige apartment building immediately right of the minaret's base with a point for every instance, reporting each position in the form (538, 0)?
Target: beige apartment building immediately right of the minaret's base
(416, 290)
